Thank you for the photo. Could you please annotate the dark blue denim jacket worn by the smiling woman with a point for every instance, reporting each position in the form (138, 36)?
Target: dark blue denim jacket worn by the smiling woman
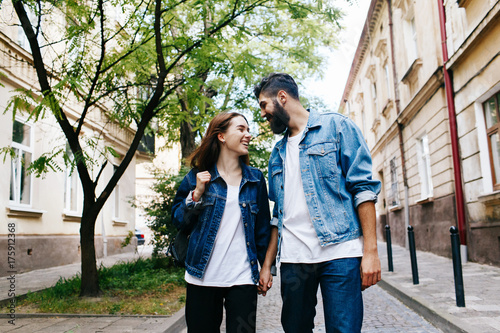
(204, 217)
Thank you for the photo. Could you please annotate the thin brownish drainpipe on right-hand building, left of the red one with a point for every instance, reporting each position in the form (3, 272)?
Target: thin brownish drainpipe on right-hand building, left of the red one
(400, 126)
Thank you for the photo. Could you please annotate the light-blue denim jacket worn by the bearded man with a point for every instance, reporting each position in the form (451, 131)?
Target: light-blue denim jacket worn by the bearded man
(336, 172)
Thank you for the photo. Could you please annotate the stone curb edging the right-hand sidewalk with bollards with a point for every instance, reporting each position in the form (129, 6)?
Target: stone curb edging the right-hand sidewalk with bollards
(438, 319)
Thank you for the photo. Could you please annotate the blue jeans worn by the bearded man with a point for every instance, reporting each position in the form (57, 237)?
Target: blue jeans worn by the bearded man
(340, 283)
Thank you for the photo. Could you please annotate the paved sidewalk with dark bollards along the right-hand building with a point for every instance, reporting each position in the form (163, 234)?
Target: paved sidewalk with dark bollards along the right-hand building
(434, 296)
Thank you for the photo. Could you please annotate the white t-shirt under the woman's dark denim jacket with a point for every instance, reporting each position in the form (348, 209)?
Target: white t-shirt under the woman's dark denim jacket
(228, 264)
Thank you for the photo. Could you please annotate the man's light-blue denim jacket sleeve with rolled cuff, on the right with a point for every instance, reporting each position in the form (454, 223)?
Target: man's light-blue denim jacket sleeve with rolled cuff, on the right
(356, 164)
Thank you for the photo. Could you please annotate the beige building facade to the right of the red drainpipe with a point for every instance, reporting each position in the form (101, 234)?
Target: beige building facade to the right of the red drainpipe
(473, 29)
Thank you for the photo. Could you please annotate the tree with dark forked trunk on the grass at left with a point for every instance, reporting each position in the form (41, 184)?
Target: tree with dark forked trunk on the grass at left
(132, 60)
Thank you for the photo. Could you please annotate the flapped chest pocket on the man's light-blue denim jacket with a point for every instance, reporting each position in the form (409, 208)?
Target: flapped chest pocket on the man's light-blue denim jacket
(323, 157)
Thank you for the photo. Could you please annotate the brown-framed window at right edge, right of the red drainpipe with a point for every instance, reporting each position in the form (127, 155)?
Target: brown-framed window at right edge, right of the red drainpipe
(492, 117)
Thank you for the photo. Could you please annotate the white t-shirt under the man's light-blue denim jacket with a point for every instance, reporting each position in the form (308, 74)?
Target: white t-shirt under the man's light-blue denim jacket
(300, 242)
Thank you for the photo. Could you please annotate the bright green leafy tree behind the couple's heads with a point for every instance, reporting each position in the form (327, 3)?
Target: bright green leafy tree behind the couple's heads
(283, 37)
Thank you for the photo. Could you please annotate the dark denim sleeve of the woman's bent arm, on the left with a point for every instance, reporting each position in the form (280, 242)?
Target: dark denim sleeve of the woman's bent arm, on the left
(185, 212)
